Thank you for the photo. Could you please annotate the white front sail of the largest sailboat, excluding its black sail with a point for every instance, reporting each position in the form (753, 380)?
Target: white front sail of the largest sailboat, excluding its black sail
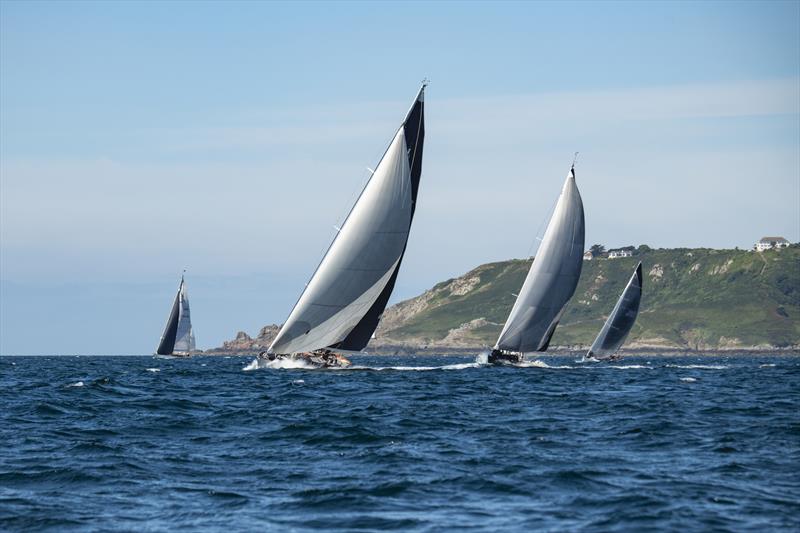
(359, 263)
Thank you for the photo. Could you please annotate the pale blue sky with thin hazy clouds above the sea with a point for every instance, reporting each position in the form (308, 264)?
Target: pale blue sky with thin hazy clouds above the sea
(137, 139)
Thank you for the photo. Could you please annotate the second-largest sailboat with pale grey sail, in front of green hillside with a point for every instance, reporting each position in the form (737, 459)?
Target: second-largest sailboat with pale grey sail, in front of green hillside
(550, 283)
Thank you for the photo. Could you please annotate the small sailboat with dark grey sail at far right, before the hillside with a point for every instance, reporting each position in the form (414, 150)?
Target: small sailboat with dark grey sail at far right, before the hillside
(621, 320)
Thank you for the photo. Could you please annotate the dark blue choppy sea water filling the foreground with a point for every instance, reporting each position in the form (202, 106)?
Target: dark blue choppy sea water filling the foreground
(411, 444)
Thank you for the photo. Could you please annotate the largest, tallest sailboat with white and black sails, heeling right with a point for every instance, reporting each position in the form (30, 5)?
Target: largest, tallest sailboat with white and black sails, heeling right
(342, 303)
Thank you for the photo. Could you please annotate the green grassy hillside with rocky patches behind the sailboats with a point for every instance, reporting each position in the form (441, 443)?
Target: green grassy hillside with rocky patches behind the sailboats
(693, 298)
